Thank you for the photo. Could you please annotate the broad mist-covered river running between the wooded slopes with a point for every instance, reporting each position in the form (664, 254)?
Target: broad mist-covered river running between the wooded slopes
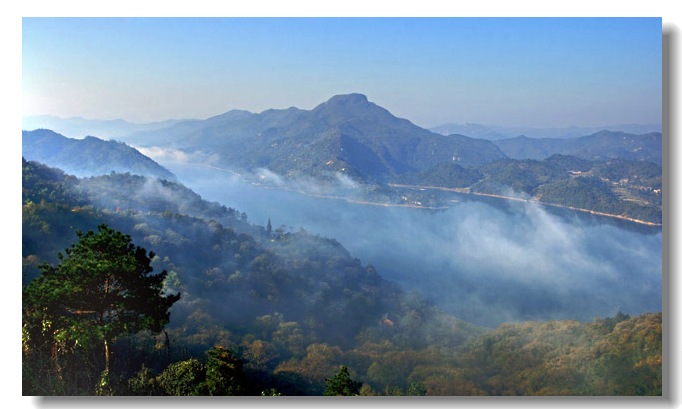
(484, 260)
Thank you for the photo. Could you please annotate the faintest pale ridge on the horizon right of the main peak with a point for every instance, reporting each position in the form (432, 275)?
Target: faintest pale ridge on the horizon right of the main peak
(505, 132)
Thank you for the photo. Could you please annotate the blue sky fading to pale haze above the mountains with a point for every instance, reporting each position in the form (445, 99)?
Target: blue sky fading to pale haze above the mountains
(494, 71)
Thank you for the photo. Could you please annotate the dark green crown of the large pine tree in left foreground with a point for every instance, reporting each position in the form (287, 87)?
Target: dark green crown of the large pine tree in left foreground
(103, 285)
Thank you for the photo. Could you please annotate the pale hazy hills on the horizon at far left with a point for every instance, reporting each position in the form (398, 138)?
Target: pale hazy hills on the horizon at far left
(80, 127)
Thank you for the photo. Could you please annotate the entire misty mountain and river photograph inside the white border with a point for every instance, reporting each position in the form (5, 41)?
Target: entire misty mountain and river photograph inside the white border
(333, 206)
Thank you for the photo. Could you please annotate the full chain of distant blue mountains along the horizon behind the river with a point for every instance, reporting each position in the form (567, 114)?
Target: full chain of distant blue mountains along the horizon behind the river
(351, 135)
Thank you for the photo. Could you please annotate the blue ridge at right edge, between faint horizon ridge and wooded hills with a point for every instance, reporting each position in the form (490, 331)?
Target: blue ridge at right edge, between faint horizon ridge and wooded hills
(602, 145)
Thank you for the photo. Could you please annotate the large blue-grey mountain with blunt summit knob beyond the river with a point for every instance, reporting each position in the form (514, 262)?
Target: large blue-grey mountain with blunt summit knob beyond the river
(346, 134)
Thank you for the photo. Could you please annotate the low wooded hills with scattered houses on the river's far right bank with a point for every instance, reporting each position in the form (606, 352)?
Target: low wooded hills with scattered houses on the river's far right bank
(619, 187)
